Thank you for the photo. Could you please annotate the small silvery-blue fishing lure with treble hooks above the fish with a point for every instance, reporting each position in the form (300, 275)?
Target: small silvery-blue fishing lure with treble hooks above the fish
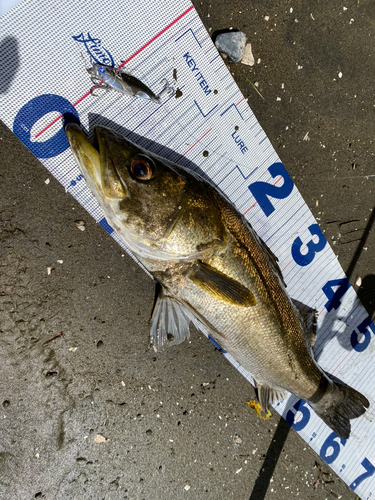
(107, 77)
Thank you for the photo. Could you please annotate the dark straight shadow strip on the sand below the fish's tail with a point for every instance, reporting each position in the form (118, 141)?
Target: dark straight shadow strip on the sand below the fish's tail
(272, 456)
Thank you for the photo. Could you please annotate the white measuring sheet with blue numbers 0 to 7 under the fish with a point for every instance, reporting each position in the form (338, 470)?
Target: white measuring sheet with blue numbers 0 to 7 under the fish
(211, 128)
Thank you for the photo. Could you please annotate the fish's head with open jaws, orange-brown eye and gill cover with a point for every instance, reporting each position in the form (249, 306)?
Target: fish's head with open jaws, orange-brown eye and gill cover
(142, 195)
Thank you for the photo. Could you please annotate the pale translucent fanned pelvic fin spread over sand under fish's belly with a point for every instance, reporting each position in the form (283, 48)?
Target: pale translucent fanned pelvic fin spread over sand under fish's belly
(169, 323)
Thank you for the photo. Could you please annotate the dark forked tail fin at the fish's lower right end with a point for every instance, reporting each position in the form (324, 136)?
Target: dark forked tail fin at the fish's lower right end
(346, 404)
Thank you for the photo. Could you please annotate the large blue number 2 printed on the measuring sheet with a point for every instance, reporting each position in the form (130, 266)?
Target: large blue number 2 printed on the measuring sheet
(262, 190)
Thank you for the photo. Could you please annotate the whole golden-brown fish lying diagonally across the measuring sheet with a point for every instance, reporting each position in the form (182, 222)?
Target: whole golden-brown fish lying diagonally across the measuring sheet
(212, 266)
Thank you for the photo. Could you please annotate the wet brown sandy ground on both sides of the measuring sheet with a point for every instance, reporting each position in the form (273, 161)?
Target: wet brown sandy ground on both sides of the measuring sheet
(86, 410)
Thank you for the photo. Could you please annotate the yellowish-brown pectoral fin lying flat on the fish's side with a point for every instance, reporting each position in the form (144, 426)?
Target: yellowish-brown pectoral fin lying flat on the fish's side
(220, 286)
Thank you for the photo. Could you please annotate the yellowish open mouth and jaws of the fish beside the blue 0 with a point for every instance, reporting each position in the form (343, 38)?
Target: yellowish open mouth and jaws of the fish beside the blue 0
(98, 163)
